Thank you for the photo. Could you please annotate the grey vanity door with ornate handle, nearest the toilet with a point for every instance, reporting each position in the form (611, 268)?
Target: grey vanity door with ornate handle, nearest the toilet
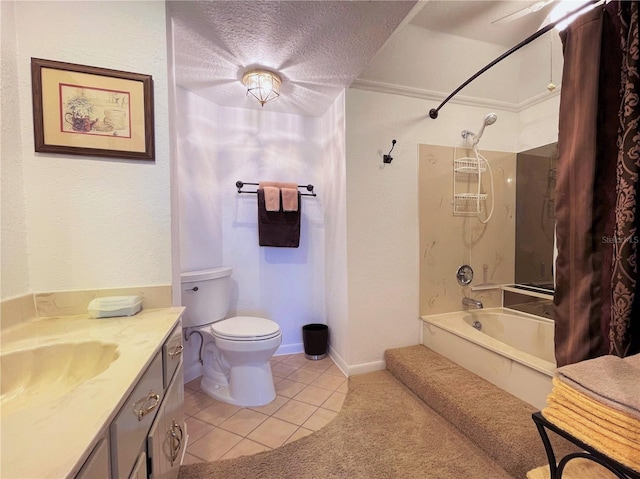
(167, 437)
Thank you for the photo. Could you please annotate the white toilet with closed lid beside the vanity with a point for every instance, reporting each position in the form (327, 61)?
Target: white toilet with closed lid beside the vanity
(236, 352)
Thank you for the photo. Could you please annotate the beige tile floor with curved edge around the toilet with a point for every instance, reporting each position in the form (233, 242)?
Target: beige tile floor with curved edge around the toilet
(309, 395)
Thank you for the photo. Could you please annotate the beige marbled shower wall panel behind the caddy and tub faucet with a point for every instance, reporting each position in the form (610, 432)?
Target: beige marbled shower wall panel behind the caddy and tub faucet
(448, 241)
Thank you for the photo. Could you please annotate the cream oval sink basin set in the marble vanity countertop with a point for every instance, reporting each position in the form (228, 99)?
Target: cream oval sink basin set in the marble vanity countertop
(31, 377)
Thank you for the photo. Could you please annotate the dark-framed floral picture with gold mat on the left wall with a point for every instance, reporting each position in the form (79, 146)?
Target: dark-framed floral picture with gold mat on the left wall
(85, 110)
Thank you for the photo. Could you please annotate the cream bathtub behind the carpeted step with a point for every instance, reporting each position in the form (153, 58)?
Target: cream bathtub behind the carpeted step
(512, 350)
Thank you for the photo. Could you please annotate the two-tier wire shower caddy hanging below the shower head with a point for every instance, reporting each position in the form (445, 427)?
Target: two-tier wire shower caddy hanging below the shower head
(465, 172)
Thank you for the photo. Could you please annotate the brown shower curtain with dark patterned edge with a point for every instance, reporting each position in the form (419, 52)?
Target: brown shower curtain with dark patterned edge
(597, 310)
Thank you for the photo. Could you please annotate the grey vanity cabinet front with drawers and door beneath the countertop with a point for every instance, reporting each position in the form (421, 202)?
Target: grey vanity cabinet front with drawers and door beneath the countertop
(146, 436)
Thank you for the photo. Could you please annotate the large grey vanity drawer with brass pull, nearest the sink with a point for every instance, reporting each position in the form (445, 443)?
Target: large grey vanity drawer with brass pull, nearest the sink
(130, 427)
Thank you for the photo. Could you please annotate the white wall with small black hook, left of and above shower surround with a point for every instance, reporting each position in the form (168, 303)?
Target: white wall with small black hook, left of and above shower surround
(382, 211)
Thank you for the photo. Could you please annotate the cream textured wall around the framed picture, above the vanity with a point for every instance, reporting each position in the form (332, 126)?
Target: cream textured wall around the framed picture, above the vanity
(82, 222)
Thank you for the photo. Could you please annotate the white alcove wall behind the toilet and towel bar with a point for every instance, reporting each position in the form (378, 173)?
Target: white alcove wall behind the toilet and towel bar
(218, 146)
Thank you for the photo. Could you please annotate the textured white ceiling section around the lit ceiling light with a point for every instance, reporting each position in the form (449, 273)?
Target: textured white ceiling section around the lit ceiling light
(318, 47)
